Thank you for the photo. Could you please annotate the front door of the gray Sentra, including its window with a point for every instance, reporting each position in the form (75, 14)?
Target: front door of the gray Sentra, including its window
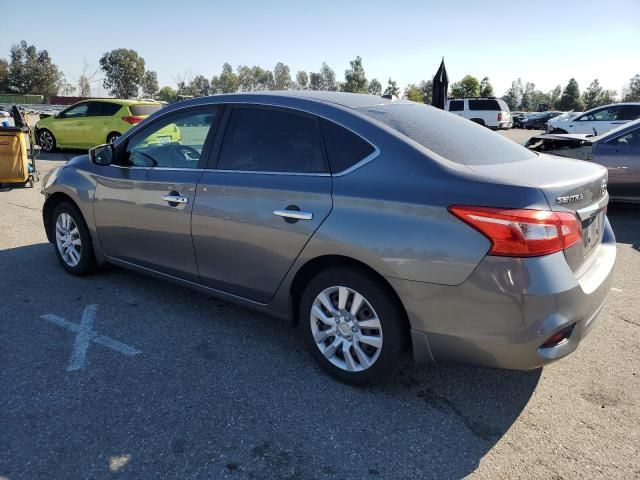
(144, 202)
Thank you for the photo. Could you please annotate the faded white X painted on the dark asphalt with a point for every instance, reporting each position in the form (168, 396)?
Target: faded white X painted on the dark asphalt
(85, 334)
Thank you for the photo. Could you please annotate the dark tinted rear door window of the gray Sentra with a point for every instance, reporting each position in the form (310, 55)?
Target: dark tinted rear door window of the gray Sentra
(264, 140)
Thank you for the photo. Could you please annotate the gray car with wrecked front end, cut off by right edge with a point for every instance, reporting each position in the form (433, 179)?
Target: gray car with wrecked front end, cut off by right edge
(618, 150)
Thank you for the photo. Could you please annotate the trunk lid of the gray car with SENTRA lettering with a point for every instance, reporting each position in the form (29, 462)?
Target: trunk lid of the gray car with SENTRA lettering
(567, 185)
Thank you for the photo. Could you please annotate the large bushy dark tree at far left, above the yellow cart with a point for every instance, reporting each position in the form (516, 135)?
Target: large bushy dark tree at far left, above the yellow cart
(32, 71)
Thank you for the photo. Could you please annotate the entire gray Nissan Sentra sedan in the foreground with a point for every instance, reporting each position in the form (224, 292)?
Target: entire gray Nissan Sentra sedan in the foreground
(381, 227)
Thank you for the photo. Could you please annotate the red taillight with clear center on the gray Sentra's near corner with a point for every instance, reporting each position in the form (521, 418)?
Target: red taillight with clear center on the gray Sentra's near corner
(520, 232)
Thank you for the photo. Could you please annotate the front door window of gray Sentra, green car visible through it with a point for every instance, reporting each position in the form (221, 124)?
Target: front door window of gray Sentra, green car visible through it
(176, 141)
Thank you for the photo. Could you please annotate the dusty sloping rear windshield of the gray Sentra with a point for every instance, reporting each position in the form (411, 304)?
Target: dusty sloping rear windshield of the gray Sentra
(448, 135)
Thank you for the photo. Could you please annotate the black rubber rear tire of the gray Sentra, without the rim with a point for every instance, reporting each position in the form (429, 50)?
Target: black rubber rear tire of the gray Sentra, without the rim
(389, 312)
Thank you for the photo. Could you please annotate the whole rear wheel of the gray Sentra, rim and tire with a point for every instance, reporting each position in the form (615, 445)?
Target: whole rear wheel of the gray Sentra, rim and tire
(352, 326)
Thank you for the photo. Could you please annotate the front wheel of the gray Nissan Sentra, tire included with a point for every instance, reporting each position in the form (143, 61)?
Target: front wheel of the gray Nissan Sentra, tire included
(72, 239)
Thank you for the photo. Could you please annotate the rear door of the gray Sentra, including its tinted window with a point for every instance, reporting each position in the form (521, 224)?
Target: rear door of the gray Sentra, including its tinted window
(257, 209)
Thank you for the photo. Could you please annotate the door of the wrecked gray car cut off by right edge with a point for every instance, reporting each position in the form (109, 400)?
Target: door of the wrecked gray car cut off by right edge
(621, 156)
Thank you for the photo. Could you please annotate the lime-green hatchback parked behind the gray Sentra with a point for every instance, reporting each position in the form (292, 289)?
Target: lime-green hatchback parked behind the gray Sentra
(92, 122)
